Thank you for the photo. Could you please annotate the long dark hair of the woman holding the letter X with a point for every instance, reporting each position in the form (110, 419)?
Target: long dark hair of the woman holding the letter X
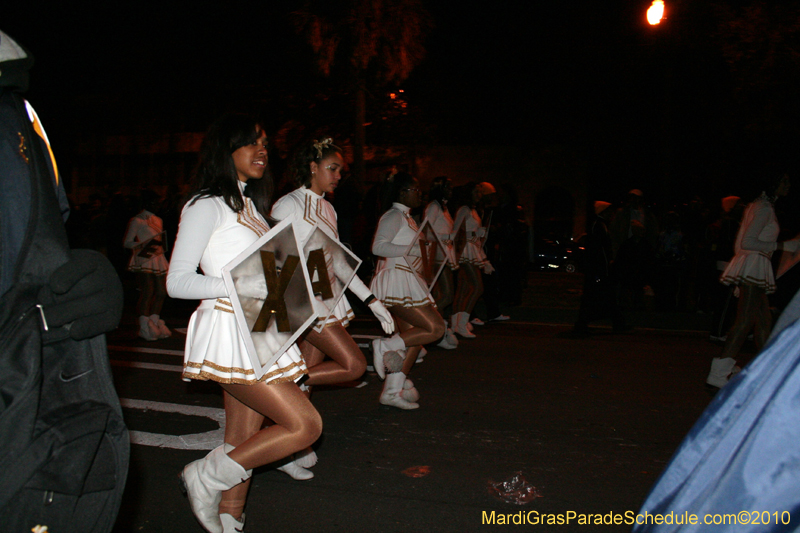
(216, 174)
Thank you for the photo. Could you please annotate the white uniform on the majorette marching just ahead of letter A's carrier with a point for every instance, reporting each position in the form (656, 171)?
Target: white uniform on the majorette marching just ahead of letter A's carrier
(394, 282)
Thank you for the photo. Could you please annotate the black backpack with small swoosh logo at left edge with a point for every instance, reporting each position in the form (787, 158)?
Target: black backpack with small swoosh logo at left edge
(64, 447)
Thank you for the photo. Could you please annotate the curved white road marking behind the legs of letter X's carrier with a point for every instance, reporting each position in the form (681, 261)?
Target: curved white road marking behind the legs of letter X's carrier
(196, 441)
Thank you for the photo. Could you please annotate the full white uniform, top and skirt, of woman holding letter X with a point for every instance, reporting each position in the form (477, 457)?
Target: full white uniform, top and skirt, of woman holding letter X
(211, 234)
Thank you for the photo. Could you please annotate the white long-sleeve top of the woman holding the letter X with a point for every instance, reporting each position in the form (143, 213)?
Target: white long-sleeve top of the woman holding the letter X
(210, 235)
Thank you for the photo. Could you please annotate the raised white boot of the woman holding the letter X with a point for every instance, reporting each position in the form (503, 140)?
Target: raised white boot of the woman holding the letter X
(205, 479)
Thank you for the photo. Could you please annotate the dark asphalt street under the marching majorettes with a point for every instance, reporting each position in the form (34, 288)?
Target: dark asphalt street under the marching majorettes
(583, 425)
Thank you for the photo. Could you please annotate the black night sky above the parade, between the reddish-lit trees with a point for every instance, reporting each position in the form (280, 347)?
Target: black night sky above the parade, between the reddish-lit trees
(639, 103)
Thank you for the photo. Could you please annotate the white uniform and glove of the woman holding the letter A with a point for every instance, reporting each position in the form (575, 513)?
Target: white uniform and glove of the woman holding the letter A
(306, 207)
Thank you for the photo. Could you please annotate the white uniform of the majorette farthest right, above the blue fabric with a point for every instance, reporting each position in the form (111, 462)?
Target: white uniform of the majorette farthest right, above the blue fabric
(755, 242)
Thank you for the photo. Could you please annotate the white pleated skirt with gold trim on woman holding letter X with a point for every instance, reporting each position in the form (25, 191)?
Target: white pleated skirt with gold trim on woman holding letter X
(215, 350)
